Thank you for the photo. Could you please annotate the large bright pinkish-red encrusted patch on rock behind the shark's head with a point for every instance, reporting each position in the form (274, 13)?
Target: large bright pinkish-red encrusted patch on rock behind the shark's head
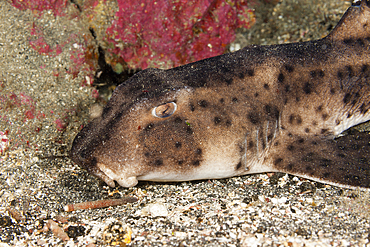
(168, 33)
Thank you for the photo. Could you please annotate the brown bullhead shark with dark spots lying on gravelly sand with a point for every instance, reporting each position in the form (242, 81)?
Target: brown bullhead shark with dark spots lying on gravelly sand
(275, 108)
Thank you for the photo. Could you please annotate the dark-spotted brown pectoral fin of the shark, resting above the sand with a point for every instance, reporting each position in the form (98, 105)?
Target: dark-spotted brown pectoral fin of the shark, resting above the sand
(344, 161)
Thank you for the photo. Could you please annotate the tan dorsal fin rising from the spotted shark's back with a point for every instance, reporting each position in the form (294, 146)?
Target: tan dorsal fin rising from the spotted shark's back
(354, 24)
